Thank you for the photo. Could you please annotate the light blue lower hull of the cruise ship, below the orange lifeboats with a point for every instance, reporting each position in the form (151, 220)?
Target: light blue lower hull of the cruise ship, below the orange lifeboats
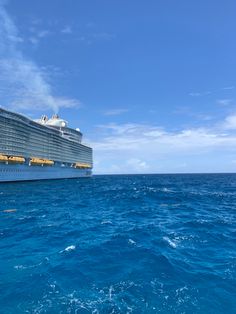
(24, 172)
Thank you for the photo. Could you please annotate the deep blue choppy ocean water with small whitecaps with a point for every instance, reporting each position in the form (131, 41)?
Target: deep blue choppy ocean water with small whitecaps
(119, 244)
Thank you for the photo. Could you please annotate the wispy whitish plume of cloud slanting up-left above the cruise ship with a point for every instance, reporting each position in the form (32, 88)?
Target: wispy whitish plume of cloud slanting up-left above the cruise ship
(23, 85)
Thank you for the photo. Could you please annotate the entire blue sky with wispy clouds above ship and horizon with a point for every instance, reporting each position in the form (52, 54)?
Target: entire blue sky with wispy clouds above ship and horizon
(150, 83)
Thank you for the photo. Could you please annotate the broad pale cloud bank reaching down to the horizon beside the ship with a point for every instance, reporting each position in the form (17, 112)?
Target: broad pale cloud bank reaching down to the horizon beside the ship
(141, 148)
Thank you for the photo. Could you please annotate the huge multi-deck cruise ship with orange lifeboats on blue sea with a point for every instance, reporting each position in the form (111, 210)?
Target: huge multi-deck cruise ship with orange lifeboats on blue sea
(41, 149)
